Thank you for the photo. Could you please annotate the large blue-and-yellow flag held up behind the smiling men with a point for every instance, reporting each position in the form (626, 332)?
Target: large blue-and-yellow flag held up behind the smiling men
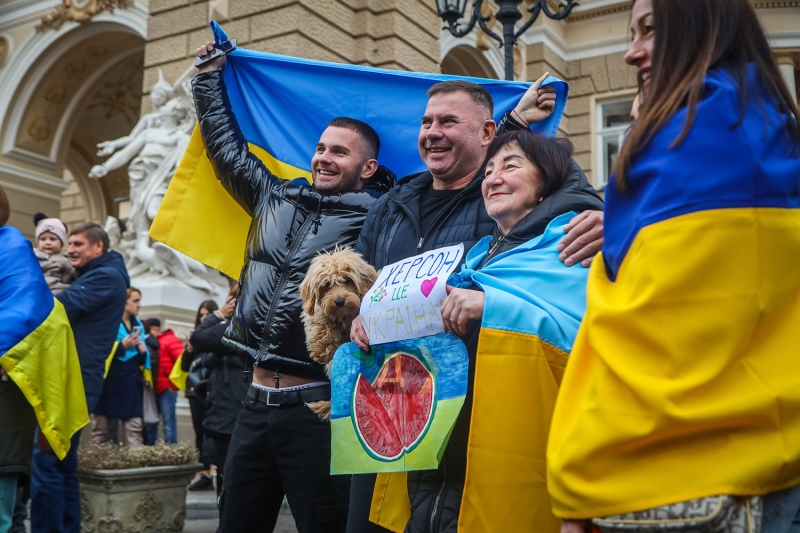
(282, 105)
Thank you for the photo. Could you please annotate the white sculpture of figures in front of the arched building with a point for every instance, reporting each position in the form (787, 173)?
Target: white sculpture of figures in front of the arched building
(152, 152)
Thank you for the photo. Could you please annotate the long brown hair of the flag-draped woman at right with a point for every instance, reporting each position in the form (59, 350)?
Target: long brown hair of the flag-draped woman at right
(691, 38)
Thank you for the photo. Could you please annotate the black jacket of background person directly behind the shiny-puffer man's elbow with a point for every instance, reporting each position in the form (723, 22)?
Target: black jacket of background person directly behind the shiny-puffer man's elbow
(229, 375)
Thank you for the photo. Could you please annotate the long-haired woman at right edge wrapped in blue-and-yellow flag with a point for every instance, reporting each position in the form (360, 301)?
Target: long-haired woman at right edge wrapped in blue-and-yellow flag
(684, 381)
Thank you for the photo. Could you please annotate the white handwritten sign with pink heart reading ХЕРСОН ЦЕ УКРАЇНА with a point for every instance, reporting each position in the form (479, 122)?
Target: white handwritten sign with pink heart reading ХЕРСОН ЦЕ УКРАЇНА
(405, 301)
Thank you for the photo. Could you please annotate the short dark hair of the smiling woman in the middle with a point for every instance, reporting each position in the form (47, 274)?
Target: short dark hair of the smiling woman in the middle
(552, 157)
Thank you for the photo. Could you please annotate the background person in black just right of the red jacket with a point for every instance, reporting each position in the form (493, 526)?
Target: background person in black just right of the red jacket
(193, 361)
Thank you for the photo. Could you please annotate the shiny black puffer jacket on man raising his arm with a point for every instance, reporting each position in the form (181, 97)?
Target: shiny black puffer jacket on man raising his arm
(291, 224)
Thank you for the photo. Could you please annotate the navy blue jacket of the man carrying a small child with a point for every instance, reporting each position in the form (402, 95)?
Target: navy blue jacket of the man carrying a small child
(94, 305)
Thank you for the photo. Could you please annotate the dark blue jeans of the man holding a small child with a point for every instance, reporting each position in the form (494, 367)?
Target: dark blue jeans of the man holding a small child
(55, 493)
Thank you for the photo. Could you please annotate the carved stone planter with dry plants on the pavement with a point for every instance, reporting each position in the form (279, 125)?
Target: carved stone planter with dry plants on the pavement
(135, 500)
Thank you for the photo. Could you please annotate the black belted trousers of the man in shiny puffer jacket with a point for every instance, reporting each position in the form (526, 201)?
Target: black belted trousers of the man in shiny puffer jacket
(277, 451)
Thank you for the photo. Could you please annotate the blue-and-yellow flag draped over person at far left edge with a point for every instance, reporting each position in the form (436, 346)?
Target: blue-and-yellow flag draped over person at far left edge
(37, 348)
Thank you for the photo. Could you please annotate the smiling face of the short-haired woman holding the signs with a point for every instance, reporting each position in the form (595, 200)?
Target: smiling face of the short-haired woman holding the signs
(510, 188)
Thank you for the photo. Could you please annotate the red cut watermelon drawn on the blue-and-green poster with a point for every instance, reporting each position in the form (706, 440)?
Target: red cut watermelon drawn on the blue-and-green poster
(392, 414)
